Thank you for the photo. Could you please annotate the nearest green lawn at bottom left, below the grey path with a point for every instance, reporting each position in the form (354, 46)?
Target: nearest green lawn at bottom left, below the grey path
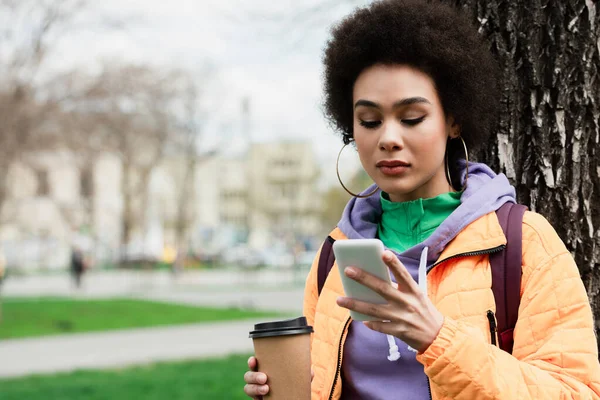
(206, 379)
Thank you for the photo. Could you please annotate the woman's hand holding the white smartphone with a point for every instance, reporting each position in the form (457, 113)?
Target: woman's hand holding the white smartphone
(408, 315)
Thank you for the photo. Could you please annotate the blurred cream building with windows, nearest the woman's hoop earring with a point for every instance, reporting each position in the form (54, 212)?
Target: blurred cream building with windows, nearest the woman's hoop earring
(264, 197)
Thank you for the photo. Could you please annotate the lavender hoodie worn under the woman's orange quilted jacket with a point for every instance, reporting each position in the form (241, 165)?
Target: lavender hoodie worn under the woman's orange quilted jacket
(367, 373)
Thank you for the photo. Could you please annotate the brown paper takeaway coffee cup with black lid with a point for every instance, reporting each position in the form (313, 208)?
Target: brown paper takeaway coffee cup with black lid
(282, 349)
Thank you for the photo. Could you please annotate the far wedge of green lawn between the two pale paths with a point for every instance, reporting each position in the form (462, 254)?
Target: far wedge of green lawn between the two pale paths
(48, 316)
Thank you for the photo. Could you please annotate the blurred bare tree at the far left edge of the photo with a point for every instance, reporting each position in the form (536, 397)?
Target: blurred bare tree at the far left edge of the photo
(27, 31)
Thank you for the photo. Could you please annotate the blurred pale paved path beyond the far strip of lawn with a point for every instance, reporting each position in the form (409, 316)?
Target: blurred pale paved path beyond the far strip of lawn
(270, 290)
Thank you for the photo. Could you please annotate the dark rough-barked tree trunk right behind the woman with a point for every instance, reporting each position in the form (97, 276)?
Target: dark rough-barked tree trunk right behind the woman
(549, 132)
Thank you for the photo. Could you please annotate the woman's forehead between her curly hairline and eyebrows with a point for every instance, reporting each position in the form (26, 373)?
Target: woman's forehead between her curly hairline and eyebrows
(389, 83)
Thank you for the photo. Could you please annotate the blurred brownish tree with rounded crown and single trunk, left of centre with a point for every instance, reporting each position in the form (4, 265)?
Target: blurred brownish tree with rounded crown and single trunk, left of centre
(134, 106)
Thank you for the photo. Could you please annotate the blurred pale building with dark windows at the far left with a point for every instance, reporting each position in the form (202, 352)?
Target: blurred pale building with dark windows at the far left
(52, 203)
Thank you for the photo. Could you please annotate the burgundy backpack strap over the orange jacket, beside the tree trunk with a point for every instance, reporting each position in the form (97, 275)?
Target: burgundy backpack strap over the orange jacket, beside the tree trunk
(506, 273)
